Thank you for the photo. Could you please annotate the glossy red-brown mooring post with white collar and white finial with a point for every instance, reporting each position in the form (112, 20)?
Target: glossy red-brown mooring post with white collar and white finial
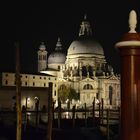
(129, 48)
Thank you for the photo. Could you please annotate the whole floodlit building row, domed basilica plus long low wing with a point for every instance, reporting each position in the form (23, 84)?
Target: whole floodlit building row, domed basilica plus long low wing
(83, 68)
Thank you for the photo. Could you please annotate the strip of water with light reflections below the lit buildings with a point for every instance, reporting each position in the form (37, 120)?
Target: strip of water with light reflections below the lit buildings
(32, 117)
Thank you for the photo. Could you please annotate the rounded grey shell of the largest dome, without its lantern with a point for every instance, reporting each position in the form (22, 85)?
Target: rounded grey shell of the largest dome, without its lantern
(85, 46)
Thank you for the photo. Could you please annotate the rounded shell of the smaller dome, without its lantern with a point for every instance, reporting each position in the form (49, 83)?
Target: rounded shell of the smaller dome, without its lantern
(57, 58)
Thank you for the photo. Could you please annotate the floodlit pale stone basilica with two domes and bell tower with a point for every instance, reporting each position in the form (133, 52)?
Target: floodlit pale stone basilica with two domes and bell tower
(83, 69)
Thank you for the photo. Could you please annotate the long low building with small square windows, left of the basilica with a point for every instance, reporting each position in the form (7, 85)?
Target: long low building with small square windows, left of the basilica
(33, 86)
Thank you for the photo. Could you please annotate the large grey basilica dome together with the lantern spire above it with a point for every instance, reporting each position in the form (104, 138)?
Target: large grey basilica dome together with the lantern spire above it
(85, 44)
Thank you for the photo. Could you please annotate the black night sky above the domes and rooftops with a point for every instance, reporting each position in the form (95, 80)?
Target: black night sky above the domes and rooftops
(34, 22)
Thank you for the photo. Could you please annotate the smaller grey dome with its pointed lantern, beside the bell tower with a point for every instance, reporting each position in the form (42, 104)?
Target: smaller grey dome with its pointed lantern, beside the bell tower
(57, 57)
